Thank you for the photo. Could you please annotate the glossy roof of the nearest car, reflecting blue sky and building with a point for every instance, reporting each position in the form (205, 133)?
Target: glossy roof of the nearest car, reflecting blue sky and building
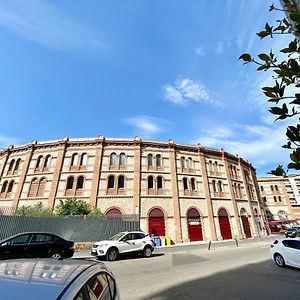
(41, 278)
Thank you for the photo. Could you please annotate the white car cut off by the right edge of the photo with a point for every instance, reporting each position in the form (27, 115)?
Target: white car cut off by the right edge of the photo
(286, 252)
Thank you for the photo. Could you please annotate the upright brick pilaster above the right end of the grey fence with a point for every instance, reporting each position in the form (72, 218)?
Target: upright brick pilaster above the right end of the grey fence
(137, 176)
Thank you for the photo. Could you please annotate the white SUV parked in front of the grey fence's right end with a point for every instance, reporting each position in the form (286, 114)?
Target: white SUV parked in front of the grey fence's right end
(124, 243)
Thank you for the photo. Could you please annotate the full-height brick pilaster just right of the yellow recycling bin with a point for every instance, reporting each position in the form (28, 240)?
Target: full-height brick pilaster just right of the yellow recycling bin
(175, 195)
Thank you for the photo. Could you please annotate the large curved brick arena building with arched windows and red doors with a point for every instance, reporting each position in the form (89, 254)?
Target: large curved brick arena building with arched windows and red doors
(187, 192)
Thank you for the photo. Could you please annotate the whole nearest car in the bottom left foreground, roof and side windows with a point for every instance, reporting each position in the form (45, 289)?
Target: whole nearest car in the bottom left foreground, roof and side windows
(50, 279)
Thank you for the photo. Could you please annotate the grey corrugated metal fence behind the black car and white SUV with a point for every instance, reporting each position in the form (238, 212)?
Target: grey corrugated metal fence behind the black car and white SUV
(76, 228)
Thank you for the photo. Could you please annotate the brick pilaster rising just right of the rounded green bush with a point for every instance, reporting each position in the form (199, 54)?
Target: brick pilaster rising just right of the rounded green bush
(97, 171)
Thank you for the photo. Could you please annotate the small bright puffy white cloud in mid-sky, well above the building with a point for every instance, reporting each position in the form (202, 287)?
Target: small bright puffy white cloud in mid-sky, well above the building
(185, 91)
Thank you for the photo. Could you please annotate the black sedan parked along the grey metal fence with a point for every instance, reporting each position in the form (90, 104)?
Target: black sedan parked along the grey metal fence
(36, 244)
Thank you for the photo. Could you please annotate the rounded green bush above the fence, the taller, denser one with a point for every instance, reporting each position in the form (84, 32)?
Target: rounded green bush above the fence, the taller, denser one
(72, 206)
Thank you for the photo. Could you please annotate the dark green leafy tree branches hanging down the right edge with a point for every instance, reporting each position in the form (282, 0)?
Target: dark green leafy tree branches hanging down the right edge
(284, 95)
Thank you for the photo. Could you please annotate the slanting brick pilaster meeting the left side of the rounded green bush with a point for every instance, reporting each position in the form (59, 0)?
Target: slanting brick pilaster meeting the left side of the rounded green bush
(57, 172)
